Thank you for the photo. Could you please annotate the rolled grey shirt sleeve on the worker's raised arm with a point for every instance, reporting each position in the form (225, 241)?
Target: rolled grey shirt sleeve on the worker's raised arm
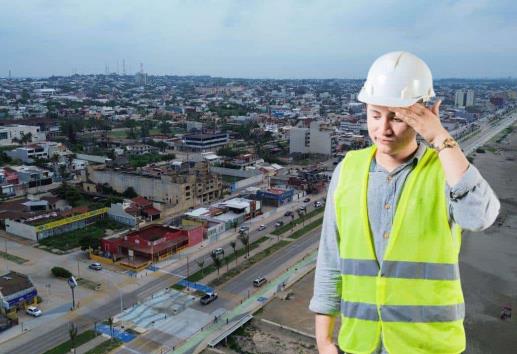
(472, 203)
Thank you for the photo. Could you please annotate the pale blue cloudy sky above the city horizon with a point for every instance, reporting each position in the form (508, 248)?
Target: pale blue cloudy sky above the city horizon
(256, 39)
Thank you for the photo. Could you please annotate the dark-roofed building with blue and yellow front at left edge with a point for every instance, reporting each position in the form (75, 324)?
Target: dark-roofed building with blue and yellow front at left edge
(16, 291)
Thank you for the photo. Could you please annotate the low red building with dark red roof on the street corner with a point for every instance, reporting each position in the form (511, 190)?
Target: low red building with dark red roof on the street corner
(150, 244)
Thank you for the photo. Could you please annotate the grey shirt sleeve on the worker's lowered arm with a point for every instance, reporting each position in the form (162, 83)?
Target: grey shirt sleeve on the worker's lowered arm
(327, 281)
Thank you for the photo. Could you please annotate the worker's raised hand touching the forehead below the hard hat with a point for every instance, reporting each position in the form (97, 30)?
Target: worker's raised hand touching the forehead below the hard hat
(423, 120)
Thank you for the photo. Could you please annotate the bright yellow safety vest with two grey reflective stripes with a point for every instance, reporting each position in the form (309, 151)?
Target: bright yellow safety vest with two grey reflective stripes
(414, 298)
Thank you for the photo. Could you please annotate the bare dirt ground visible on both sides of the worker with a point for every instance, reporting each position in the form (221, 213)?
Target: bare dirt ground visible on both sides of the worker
(488, 271)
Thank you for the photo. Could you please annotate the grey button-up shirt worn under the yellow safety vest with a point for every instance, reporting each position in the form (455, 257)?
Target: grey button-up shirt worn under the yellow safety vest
(472, 204)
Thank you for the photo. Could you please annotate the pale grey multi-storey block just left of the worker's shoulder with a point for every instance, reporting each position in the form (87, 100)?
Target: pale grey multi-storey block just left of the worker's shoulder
(319, 138)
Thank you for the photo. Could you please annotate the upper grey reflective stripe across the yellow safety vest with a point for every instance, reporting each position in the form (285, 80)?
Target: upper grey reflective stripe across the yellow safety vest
(400, 269)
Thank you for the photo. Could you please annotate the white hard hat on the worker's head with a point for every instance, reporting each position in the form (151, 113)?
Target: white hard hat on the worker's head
(397, 79)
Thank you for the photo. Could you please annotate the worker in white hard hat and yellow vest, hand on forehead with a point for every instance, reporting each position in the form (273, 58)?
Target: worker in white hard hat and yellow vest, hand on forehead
(388, 255)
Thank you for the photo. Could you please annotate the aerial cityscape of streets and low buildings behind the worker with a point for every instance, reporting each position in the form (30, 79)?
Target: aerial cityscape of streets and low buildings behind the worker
(147, 212)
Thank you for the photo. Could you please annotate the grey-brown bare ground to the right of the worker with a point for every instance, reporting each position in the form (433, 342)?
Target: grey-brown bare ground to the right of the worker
(489, 258)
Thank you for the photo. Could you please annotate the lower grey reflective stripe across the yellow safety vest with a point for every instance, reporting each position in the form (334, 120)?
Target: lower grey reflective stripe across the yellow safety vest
(403, 313)
